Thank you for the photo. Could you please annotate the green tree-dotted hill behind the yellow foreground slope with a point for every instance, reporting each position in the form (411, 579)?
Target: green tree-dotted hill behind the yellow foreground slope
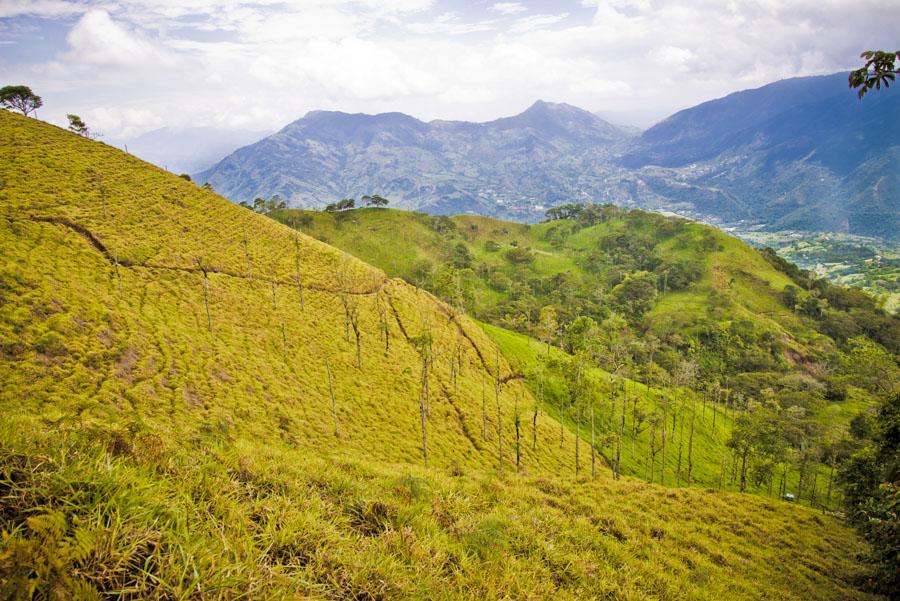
(692, 323)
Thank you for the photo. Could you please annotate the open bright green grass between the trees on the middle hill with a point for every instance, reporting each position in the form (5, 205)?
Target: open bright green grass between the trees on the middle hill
(737, 284)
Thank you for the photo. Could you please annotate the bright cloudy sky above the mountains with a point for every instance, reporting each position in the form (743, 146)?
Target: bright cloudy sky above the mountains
(131, 66)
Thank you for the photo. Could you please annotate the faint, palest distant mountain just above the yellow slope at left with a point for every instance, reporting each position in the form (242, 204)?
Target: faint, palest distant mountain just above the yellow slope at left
(187, 149)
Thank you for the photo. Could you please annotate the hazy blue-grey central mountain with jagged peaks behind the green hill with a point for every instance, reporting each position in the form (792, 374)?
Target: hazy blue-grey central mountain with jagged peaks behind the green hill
(544, 155)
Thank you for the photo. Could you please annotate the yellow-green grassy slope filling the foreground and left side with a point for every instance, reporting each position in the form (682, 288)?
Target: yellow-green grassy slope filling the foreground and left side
(143, 455)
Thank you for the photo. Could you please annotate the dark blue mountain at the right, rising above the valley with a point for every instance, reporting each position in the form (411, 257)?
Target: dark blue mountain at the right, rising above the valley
(800, 153)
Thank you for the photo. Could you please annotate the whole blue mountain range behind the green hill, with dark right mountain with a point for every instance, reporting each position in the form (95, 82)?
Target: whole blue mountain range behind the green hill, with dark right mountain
(801, 153)
